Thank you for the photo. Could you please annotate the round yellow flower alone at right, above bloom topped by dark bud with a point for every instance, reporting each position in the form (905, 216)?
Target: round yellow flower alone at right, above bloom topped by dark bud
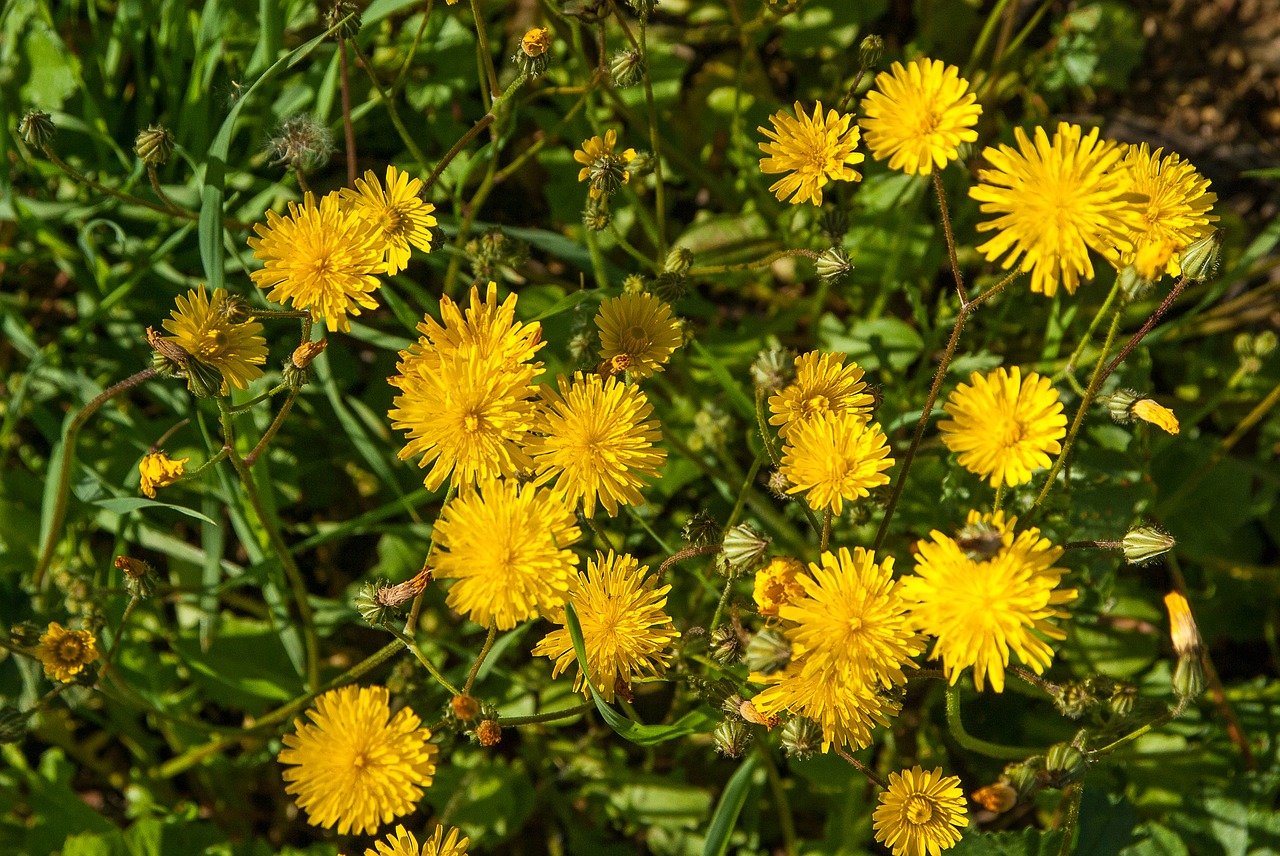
(1003, 427)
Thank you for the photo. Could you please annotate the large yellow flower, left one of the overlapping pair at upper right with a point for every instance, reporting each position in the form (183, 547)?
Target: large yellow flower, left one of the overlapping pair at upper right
(1057, 199)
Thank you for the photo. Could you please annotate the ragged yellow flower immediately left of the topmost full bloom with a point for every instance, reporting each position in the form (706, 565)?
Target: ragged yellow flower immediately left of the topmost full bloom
(812, 152)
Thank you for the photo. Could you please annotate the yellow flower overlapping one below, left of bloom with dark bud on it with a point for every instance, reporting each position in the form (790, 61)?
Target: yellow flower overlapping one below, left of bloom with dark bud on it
(853, 620)
